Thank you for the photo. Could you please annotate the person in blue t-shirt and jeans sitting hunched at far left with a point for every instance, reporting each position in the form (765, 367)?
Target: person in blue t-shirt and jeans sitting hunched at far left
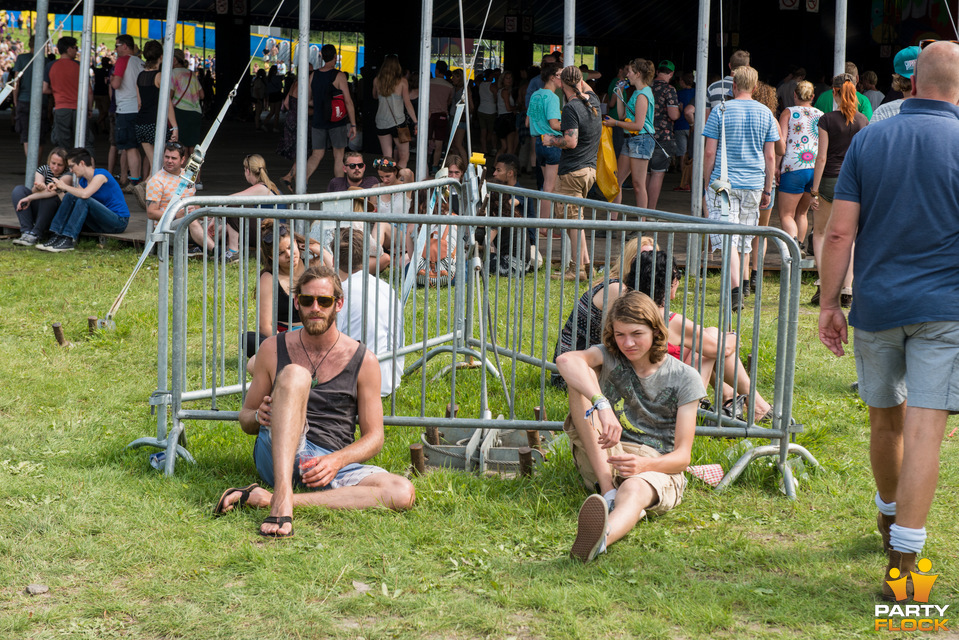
(95, 204)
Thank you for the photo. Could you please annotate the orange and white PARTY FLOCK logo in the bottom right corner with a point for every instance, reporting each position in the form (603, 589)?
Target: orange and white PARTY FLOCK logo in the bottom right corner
(918, 614)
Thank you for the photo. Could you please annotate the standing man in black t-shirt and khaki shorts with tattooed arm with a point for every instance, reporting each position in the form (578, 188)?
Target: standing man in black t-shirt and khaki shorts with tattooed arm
(582, 127)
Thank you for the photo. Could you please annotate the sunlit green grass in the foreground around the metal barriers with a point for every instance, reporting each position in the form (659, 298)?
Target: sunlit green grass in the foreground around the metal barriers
(128, 553)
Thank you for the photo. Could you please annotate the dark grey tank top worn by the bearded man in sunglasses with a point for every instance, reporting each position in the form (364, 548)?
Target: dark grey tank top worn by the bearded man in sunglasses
(331, 409)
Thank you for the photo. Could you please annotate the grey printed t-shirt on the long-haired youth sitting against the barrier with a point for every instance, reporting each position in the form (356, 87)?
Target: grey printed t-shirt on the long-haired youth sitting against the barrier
(647, 407)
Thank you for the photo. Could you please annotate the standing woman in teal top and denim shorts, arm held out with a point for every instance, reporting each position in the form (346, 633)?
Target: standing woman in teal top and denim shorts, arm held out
(638, 128)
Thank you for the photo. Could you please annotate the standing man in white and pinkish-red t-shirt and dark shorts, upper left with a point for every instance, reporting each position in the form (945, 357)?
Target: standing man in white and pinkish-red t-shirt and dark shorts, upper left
(124, 83)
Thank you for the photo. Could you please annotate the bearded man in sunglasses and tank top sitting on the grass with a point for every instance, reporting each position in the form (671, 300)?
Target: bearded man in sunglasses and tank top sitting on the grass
(310, 389)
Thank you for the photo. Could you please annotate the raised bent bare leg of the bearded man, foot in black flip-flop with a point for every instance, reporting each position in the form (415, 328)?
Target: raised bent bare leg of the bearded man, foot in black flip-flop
(287, 419)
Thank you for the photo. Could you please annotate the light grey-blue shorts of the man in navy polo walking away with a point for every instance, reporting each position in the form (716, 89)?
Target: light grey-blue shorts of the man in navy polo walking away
(922, 359)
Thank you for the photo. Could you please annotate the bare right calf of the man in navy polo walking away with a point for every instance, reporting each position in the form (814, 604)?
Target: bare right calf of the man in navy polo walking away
(922, 437)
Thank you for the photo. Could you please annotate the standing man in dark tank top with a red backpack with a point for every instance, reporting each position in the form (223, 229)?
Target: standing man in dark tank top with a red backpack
(326, 82)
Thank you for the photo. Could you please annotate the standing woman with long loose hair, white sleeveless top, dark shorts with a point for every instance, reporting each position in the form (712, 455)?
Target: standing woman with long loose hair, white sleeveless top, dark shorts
(392, 91)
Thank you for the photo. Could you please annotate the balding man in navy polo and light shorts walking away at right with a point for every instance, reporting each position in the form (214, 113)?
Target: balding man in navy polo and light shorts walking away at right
(906, 295)
